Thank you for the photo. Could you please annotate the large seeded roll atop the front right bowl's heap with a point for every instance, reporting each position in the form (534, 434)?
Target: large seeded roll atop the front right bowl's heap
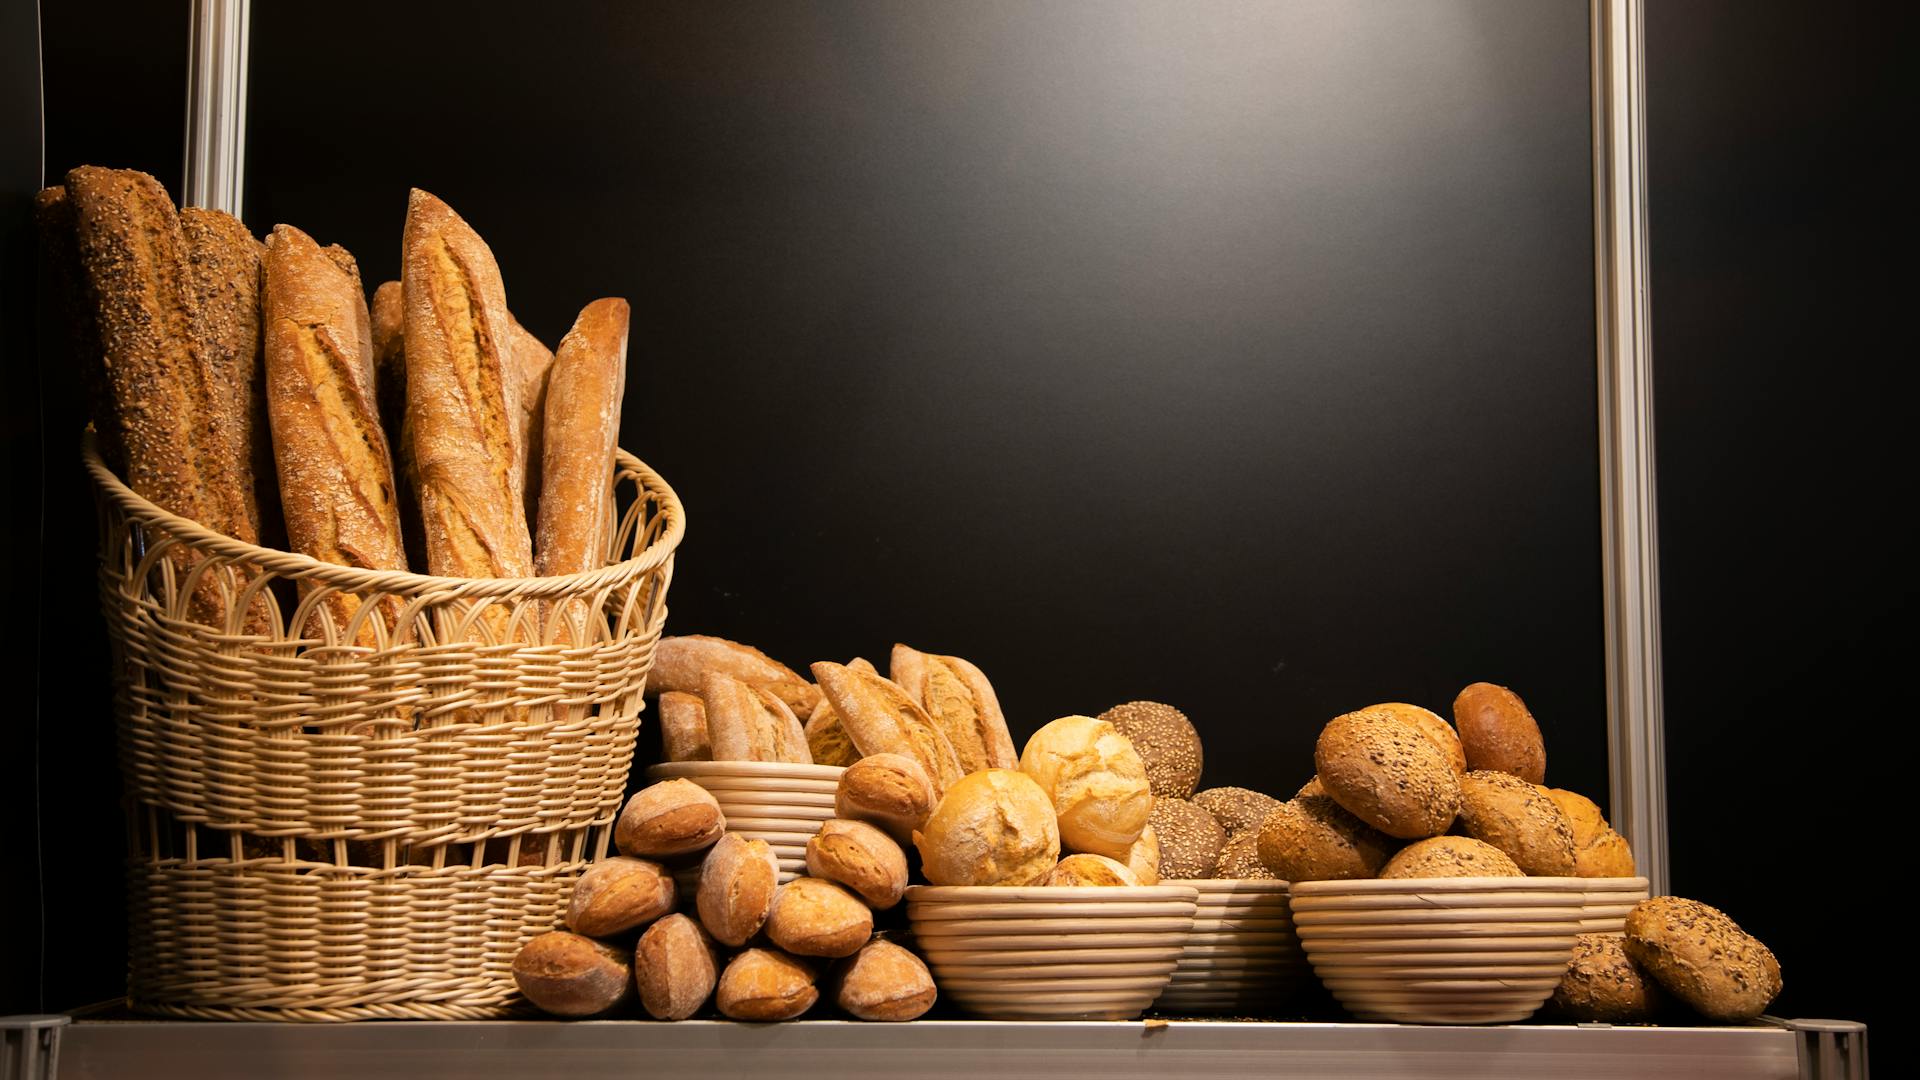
(1389, 775)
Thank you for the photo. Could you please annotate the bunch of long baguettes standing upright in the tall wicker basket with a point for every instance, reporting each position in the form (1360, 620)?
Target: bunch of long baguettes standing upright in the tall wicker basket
(249, 387)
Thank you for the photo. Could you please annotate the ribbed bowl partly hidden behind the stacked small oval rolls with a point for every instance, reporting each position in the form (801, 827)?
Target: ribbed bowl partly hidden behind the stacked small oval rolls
(765, 800)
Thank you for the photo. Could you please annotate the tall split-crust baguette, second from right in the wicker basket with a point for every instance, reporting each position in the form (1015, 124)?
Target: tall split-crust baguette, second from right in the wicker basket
(464, 401)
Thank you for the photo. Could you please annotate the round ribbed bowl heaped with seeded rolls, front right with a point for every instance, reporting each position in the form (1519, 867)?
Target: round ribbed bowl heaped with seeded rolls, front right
(1441, 950)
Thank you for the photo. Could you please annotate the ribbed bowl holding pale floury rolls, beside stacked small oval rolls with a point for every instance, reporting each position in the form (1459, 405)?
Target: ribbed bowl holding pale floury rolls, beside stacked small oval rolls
(1051, 954)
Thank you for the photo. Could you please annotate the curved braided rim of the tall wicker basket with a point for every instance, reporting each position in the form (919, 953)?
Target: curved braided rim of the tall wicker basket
(356, 579)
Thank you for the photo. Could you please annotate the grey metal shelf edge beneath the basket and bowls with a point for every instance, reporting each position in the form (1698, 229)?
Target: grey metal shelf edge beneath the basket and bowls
(924, 1050)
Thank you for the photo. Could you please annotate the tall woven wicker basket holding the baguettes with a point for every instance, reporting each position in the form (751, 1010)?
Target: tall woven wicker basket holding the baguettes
(366, 822)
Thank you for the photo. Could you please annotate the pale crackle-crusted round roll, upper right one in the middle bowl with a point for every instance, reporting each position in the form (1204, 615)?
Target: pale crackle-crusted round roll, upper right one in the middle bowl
(1095, 781)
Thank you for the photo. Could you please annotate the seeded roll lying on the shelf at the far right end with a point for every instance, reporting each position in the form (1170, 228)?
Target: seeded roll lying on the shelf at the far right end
(1704, 958)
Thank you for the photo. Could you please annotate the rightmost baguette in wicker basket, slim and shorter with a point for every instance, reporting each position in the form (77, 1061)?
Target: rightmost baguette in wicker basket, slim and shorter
(583, 428)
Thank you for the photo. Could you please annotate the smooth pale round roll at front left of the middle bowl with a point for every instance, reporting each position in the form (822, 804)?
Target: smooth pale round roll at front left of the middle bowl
(992, 829)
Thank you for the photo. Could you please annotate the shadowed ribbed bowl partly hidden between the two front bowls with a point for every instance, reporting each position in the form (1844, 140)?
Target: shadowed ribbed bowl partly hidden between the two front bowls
(1241, 958)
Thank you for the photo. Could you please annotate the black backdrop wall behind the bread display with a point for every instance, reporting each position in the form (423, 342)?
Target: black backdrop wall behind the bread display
(1239, 360)
